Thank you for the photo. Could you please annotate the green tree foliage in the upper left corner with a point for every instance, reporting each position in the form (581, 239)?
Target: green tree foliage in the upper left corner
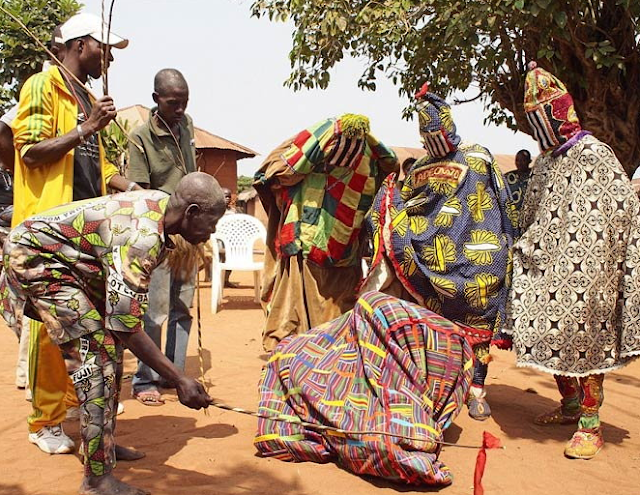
(21, 56)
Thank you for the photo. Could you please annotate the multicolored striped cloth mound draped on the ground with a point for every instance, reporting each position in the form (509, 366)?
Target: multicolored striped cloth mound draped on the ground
(388, 365)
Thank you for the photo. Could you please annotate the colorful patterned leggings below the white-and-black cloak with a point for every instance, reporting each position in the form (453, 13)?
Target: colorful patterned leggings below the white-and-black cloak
(584, 394)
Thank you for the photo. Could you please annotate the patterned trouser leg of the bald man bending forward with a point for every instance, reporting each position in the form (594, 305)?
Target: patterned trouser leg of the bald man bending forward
(94, 362)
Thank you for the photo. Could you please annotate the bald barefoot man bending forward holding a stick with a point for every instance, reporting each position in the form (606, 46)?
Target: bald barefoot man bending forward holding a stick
(91, 261)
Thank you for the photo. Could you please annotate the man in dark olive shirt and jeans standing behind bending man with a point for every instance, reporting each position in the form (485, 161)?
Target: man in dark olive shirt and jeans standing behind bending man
(163, 153)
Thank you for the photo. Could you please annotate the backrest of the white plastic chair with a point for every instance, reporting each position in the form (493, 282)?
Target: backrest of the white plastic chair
(239, 232)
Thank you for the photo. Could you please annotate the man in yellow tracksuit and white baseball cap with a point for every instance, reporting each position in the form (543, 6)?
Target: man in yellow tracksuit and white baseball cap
(59, 158)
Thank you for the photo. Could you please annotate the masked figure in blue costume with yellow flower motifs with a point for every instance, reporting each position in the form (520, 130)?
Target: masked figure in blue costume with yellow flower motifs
(444, 240)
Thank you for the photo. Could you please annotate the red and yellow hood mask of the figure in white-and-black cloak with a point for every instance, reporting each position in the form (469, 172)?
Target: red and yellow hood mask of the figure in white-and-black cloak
(549, 108)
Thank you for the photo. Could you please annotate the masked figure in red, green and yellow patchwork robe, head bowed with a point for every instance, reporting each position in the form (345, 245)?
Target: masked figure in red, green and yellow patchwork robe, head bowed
(316, 189)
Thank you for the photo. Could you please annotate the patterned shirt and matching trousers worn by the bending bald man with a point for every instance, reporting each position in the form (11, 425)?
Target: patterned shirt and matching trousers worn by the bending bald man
(83, 269)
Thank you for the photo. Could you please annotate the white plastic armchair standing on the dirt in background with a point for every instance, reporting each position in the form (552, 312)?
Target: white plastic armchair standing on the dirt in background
(238, 233)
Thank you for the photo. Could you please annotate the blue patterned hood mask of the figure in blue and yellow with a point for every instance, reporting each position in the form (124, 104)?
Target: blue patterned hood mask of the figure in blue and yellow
(436, 124)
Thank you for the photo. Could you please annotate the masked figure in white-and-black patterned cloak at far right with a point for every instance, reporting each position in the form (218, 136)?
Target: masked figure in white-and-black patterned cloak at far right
(574, 309)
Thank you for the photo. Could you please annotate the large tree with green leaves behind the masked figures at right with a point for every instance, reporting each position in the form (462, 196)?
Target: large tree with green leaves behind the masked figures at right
(481, 44)
